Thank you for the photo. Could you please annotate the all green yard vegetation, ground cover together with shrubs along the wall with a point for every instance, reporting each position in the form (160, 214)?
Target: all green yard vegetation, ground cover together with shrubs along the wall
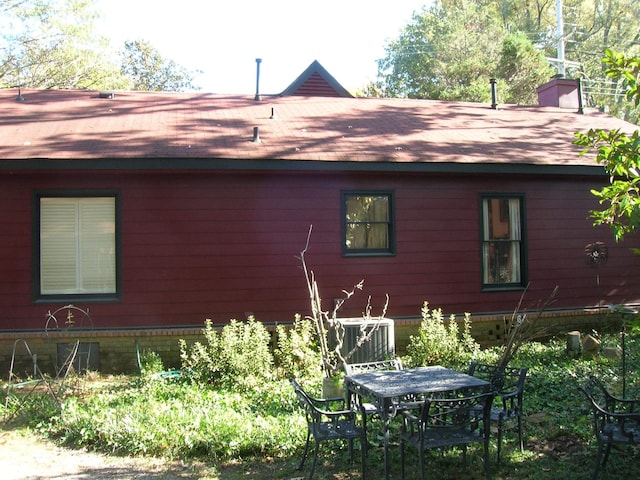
(260, 432)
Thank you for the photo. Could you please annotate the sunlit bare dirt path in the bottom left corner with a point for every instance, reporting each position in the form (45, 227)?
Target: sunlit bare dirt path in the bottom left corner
(26, 457)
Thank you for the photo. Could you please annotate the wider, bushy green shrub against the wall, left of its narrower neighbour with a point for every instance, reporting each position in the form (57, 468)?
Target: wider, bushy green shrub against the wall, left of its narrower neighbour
(239, 356)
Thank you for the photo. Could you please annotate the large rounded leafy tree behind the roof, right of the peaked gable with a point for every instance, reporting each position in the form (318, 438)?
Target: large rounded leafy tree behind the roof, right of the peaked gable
(451, 50)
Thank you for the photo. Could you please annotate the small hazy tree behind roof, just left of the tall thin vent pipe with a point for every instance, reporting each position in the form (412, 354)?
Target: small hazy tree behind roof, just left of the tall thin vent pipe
(146, 69)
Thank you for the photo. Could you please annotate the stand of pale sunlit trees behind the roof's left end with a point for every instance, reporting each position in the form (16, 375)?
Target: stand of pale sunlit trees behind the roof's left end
(53, 44)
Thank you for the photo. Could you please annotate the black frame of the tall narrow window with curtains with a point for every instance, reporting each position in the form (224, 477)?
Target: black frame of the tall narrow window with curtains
(524, 273)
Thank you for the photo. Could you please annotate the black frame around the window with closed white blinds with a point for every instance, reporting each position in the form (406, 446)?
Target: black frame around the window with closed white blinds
(38, 296)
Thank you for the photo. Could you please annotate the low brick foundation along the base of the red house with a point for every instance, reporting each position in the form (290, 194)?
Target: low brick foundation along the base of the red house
(118, 350)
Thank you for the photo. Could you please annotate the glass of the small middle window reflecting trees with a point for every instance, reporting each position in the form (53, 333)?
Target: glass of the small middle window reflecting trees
(367, 222)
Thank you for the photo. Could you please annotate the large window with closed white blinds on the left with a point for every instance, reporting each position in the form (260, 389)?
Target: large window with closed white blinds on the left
(77, 245)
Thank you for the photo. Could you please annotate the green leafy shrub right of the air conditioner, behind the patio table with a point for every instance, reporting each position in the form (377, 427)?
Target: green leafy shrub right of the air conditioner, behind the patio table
(441, 343)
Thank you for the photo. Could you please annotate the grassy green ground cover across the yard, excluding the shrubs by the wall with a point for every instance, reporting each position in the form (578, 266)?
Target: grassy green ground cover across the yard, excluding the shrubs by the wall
(260, 433)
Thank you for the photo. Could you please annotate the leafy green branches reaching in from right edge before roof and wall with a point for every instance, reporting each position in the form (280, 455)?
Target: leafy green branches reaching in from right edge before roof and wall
(619, 153)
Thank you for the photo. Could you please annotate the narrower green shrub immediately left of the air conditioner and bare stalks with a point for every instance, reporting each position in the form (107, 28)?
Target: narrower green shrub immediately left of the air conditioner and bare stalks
(297, 354)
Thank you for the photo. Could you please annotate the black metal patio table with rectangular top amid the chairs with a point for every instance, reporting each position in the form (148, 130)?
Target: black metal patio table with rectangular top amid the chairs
(393, 390)
